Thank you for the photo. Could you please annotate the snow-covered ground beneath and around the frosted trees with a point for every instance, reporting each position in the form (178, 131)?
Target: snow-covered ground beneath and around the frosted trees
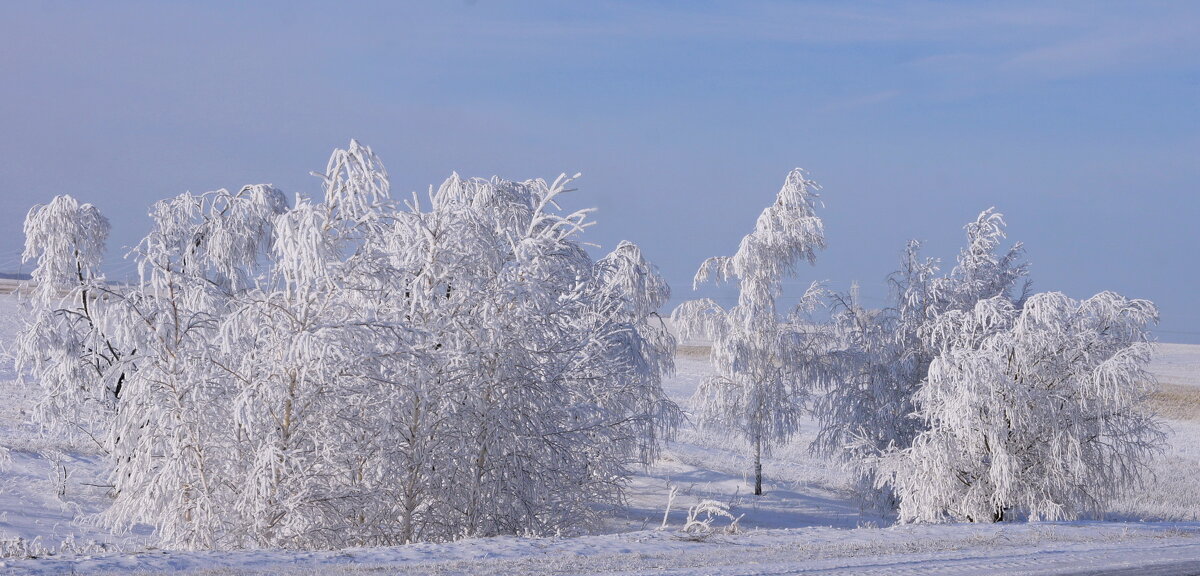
(807, 523)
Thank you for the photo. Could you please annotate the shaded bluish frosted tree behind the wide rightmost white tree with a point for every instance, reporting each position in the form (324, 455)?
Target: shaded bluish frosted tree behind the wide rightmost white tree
(884, 356)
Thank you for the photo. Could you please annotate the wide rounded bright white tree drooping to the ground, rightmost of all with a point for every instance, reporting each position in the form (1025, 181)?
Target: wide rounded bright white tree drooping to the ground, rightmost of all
(1031, 412)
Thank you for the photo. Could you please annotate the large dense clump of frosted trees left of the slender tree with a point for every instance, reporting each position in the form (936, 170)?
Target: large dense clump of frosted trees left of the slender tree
(353, 370)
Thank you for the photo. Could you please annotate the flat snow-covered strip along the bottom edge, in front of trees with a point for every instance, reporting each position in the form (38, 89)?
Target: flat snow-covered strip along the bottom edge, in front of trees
(1069, 549)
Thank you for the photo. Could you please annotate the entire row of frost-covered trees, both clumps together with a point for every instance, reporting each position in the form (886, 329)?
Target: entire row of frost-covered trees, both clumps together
(357, 370)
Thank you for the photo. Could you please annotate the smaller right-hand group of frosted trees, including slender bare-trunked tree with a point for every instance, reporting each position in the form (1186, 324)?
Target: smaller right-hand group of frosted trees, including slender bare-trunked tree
(965, 399)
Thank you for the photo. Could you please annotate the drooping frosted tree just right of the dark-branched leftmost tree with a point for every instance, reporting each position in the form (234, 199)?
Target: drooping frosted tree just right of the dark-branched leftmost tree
(175, 447)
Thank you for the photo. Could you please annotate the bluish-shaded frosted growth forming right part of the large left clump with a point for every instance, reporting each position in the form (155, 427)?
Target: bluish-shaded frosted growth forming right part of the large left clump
(549, 361)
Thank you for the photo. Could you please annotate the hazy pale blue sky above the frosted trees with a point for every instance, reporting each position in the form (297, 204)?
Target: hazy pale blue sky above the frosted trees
(1079, 122)
